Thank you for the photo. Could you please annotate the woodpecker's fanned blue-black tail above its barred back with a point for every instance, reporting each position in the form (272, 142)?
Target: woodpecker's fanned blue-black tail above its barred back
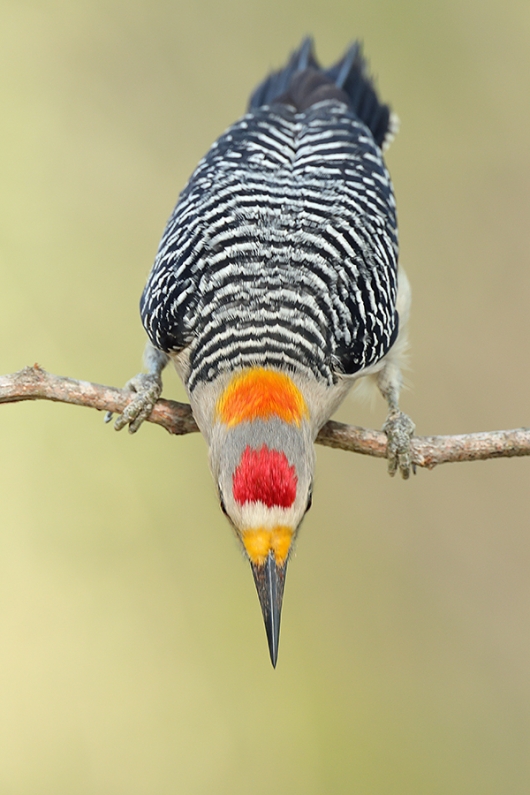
(303, 82)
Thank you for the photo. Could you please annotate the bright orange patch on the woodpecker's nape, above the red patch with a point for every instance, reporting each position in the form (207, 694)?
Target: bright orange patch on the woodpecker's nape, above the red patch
(259, 394)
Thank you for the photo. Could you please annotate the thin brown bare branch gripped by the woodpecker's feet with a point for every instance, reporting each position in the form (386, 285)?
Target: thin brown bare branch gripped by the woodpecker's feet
(34, 383)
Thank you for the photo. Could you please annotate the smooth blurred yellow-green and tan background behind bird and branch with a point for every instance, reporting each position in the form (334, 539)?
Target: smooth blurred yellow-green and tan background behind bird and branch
(133, 658)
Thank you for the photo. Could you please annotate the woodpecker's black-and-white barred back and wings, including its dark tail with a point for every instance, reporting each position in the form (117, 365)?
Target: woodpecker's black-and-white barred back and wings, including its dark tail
(282, 249)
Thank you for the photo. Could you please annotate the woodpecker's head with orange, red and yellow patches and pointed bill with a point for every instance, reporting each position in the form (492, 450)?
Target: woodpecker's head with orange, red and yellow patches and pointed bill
(262, 458)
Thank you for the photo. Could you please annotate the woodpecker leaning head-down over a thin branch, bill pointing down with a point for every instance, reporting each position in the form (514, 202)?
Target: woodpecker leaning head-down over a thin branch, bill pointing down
(275, 287)
